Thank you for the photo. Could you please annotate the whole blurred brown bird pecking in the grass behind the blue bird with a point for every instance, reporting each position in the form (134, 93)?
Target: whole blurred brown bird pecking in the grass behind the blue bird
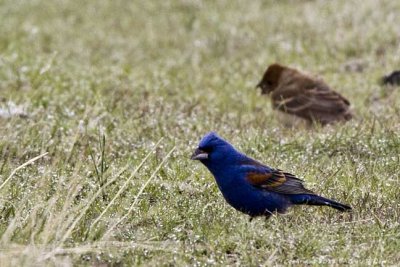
(299, 94)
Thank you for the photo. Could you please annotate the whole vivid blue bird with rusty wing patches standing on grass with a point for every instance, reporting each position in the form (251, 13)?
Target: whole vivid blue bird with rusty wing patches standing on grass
(251, 187)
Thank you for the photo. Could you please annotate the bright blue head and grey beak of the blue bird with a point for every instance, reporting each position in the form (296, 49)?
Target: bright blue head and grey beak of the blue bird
(214, 151)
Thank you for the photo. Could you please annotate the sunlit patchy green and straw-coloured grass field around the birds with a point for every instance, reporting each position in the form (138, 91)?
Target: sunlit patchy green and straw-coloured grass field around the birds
(118, 94)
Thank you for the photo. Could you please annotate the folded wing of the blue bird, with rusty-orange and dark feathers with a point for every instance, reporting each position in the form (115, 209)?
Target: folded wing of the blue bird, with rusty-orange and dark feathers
(277, 181)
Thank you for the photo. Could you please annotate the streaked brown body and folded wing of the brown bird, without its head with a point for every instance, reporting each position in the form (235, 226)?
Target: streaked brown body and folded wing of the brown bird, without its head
(312, 100)
